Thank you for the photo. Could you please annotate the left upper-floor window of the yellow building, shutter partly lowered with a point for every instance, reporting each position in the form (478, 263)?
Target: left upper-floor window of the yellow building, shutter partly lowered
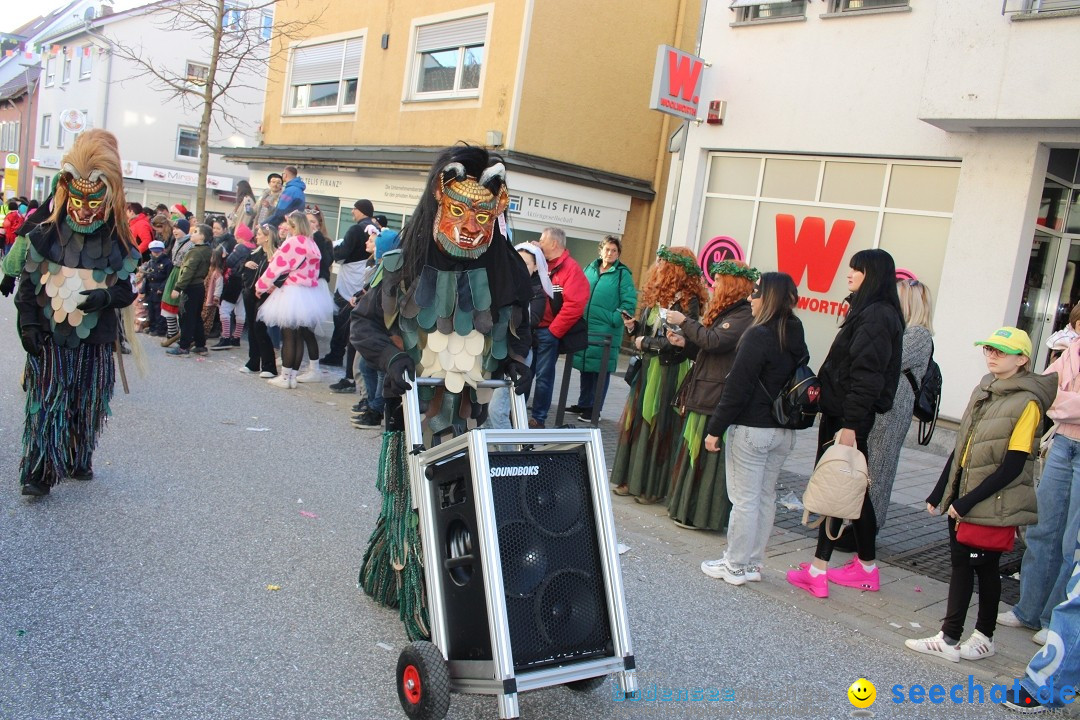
(326, 78)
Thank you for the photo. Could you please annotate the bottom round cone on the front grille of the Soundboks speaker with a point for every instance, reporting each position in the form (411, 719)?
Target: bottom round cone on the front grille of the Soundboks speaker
(568, 608)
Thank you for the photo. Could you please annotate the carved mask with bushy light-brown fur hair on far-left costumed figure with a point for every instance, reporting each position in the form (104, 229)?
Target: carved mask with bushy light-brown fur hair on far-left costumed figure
(91, 183)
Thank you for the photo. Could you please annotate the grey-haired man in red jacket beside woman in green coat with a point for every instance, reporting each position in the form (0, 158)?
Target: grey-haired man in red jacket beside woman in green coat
(561, 317)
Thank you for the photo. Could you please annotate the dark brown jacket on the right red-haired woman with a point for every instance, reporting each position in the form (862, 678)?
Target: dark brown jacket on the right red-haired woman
(713, 350)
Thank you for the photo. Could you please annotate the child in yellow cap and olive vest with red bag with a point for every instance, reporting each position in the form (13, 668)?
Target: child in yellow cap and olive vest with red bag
(989, 485)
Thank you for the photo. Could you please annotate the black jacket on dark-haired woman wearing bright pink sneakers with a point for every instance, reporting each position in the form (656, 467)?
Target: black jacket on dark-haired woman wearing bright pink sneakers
(859, 377)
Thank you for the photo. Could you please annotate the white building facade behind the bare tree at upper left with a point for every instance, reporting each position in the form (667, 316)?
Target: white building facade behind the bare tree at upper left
(86, 85)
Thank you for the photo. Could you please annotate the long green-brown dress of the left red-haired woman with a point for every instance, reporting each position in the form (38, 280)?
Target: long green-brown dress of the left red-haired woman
(650, 428)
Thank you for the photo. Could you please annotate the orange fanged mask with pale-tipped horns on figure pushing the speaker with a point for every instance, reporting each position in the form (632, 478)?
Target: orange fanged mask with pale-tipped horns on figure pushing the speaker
(468, 209)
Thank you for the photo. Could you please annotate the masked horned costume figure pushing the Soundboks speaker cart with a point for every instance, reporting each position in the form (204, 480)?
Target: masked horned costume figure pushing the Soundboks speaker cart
(452, 304)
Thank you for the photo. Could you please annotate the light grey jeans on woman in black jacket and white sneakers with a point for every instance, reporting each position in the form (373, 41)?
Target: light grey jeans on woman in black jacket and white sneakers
(753, 458)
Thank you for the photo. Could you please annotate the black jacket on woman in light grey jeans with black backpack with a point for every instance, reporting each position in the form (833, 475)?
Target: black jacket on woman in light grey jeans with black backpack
(758, 376)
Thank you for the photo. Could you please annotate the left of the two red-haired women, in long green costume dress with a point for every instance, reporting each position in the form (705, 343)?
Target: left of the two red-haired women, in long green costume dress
(650, 427)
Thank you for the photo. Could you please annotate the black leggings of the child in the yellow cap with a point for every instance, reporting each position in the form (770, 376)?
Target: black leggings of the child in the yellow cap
(969, 563)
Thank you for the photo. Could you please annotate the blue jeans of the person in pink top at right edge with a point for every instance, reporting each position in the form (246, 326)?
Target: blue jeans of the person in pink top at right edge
(1048, 561)
